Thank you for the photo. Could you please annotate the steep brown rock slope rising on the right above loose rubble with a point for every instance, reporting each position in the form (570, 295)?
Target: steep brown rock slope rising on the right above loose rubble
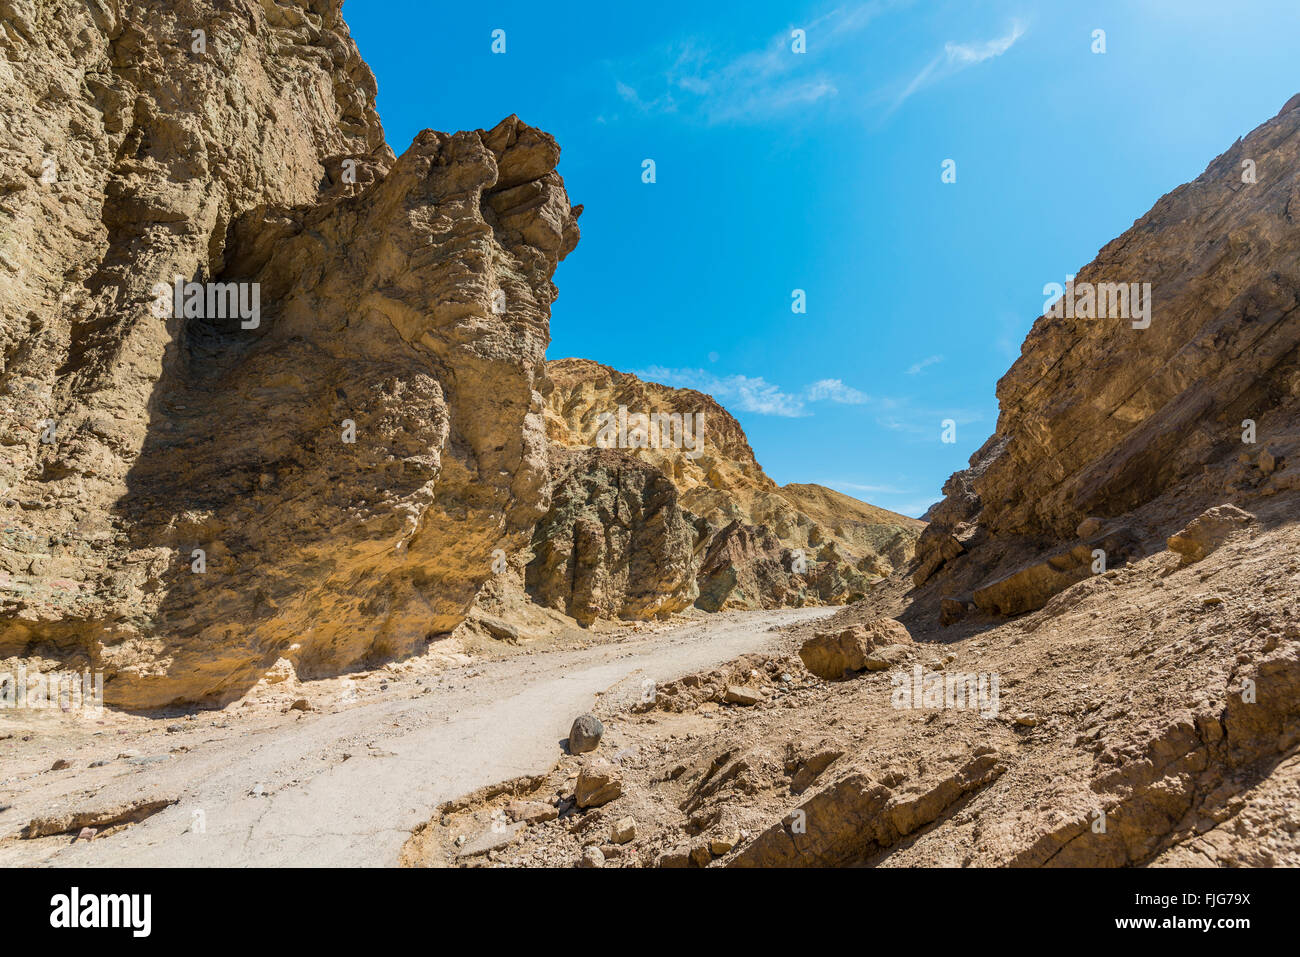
(1138, 425)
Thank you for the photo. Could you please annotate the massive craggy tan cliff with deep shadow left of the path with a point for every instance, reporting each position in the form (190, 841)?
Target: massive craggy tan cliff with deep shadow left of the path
(349, 458)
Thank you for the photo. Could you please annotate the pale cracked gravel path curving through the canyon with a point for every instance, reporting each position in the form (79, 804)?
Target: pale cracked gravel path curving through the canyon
(345, 789)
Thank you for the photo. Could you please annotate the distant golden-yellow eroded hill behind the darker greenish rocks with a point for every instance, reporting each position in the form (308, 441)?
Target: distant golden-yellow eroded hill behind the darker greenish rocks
(761, 545)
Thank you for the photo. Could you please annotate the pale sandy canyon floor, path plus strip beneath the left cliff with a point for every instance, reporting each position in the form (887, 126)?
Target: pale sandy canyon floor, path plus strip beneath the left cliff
(344, 783)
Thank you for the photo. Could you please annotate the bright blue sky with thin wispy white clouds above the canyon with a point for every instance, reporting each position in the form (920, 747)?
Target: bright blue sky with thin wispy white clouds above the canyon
(822, 171)
